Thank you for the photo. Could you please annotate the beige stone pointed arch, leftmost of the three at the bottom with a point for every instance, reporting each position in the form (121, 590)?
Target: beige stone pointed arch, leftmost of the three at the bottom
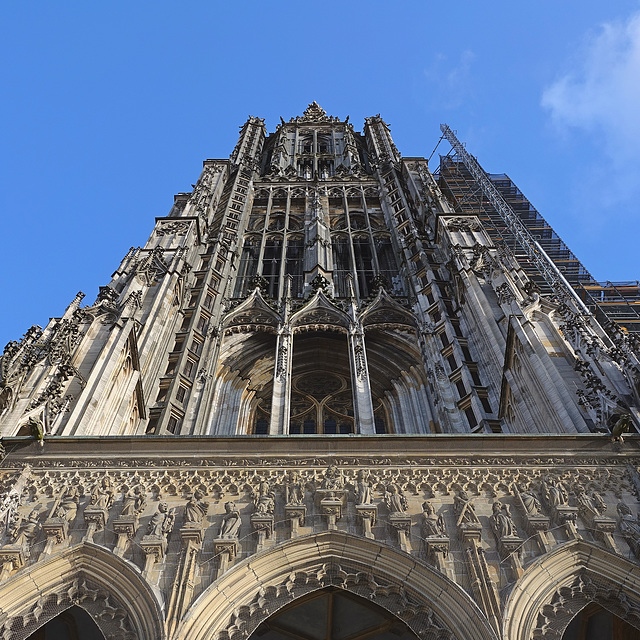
(110, 589)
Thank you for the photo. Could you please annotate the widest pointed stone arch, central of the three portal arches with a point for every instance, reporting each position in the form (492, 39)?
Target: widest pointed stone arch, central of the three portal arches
(250, 592)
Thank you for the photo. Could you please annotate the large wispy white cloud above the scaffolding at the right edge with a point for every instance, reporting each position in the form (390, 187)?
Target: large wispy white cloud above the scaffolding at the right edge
(601, 94)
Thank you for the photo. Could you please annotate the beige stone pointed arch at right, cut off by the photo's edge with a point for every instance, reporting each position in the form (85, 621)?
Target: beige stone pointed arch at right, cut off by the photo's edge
(559, 584)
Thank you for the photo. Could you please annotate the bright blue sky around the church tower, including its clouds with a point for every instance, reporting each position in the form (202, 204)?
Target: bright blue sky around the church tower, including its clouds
(108, 109)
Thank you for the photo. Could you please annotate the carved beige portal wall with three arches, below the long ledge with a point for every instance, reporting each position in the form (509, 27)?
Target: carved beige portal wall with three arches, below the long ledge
(213, 562)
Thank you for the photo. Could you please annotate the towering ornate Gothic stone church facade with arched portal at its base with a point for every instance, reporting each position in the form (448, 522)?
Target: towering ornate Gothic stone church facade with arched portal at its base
(324, 389)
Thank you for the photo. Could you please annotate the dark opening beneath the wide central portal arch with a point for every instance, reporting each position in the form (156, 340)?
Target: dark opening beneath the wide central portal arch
(333, 614)
